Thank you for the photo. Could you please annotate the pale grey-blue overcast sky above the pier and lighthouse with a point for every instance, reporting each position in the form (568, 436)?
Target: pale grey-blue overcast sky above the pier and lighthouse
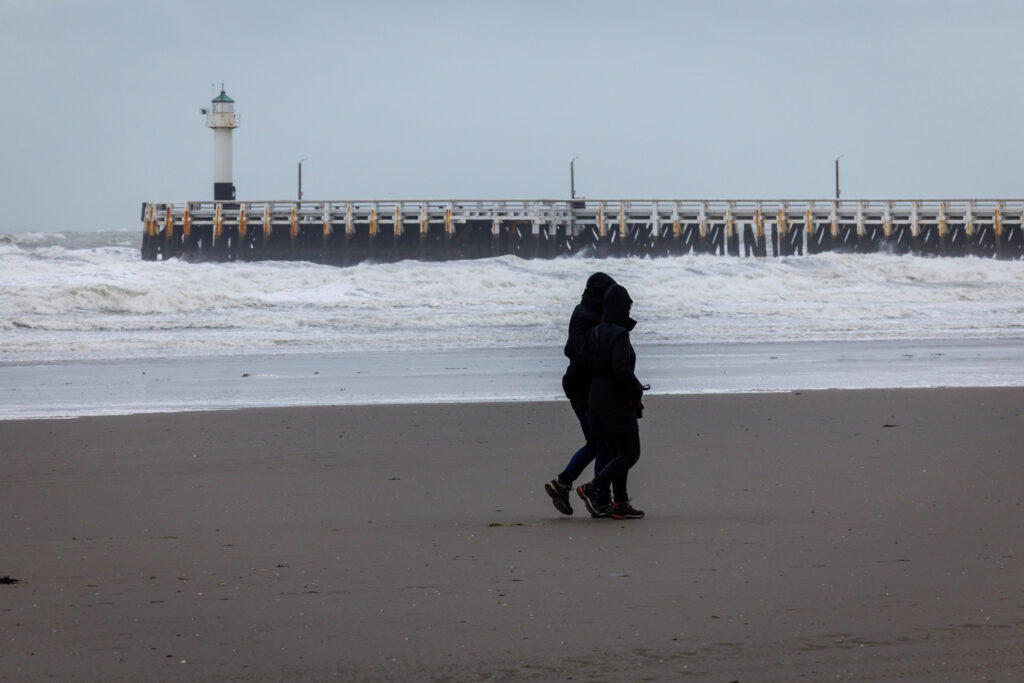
(472, 100)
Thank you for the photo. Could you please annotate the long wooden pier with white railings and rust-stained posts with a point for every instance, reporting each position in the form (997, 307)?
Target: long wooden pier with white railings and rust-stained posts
(346, 233)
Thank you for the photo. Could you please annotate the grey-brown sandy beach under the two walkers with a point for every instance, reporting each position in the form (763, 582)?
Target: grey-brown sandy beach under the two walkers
(817, 536)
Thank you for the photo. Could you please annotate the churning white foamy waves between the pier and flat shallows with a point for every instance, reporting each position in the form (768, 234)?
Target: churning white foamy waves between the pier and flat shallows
(90, 296)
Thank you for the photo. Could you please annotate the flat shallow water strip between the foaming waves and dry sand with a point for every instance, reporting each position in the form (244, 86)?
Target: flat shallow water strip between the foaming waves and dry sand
(170, 386)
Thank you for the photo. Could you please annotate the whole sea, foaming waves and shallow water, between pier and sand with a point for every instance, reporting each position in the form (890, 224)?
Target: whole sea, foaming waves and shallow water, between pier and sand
(88, 327)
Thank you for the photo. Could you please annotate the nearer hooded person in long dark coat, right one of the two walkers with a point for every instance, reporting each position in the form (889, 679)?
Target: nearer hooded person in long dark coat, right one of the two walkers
(616, 404)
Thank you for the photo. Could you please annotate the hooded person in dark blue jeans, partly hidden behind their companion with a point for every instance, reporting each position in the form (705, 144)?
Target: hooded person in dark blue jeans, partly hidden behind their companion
(576, 383)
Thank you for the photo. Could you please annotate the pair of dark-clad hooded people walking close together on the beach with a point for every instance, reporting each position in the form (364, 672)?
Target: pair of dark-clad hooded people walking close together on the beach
(607, 398)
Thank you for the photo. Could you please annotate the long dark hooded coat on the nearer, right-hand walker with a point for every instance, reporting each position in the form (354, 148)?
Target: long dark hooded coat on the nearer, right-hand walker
(615, 390)
